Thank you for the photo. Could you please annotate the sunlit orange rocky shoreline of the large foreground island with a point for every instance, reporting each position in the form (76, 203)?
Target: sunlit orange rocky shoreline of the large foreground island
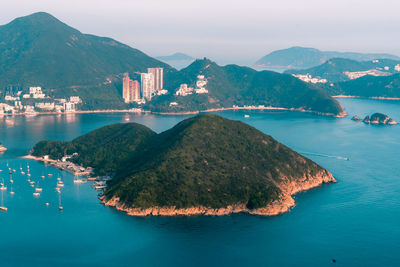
(283, 205)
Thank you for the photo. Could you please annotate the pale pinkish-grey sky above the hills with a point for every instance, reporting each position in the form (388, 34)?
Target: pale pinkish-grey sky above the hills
(228, 31)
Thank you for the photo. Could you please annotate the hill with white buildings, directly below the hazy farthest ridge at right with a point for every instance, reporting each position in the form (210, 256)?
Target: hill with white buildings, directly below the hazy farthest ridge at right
(342, 69)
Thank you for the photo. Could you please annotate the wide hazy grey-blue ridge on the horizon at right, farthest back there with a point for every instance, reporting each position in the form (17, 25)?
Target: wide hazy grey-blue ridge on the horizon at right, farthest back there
(303, 58)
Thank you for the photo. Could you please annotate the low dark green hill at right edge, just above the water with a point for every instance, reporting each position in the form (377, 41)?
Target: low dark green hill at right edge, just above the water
(370, 86)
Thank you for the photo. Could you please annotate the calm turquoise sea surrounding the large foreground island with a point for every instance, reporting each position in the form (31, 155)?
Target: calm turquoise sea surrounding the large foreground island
(355, 221)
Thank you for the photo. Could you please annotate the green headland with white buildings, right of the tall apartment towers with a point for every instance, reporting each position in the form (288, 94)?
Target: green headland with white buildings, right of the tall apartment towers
(234, 85)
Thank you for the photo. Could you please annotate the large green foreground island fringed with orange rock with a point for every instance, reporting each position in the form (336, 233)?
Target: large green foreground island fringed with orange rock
(205, 165)
